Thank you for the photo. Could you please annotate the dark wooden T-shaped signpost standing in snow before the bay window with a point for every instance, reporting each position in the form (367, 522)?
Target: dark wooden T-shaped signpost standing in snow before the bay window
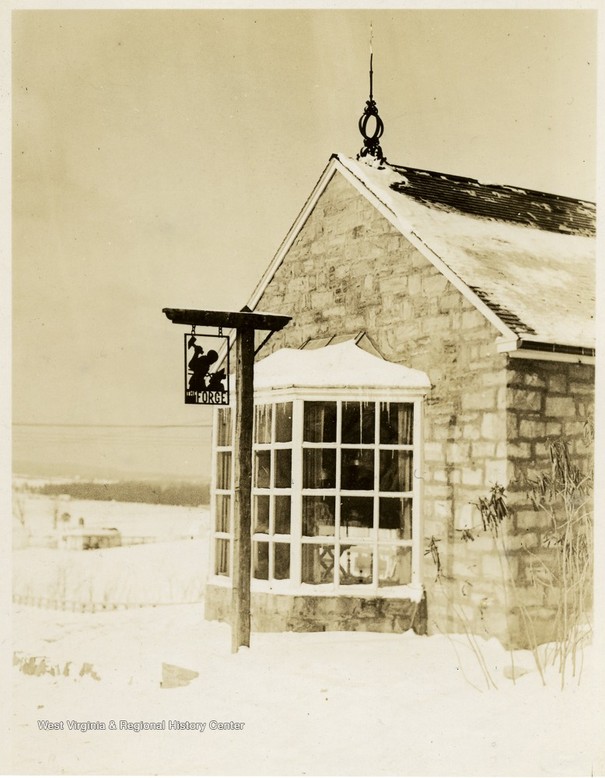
(245, 323)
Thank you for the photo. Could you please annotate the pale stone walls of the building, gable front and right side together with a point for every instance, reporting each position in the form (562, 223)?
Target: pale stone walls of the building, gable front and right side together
(488, 417)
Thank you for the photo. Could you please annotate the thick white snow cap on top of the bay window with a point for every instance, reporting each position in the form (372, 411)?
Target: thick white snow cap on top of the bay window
(340, 365)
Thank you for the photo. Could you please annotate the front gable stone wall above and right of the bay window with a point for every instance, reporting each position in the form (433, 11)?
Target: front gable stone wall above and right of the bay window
(349, 270)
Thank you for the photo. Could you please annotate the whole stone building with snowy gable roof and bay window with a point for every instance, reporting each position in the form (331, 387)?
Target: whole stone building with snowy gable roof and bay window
(441, 336)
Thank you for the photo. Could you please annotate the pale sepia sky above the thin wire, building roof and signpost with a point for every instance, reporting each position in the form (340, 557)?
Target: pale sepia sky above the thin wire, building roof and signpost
(160, 157)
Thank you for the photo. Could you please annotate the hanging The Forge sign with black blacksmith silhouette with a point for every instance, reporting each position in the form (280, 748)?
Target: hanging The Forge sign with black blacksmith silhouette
(205, 382)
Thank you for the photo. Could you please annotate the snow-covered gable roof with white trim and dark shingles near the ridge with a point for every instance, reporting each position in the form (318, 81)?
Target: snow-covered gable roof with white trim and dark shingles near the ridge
(525, 259)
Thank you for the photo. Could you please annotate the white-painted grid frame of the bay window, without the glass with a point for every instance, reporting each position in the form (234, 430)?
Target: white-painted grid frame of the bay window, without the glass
(293, 584)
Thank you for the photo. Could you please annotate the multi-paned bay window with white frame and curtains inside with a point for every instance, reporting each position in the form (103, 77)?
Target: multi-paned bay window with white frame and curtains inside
(335, 500)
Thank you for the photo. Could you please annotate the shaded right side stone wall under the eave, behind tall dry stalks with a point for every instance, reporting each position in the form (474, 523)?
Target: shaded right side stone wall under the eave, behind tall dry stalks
(547, 402)
